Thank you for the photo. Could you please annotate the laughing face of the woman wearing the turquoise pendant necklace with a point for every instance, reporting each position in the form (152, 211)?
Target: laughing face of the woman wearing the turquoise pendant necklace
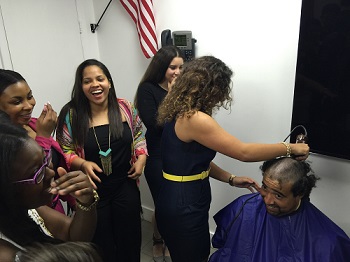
(95, 85)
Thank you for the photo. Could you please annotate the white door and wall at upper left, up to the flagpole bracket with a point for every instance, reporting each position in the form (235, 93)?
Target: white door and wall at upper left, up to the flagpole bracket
(45, 40)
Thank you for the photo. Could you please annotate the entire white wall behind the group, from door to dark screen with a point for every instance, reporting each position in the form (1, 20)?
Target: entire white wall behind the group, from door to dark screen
(257, 39)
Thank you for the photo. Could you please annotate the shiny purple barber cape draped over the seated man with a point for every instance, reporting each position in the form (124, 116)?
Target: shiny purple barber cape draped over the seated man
(246, 232)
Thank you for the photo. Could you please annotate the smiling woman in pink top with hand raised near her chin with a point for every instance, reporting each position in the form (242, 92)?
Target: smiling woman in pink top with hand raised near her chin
(17, 100)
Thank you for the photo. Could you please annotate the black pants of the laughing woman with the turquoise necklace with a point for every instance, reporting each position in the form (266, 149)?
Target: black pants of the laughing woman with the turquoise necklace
(118, 232)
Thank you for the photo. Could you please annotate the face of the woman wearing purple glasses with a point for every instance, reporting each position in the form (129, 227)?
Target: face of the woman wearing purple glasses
(28, 162)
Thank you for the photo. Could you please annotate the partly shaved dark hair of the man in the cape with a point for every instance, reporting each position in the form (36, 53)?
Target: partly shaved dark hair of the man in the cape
(287, 169)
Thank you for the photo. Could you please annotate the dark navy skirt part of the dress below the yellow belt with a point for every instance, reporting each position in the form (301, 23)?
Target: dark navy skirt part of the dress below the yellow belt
(182, 217)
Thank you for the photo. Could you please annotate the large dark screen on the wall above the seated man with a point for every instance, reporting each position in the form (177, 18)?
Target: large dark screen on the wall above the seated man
(322, 85)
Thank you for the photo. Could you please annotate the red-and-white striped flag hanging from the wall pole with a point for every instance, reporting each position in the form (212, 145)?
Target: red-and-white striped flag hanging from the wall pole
(141, 11)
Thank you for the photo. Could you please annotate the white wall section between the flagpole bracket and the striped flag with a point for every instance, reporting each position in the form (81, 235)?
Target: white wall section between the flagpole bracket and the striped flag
(119, 47)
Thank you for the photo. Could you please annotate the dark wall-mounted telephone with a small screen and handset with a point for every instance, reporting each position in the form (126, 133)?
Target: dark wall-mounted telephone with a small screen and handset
(182, 39)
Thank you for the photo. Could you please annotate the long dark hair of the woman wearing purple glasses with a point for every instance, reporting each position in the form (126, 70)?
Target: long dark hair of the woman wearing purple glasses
(15, 223)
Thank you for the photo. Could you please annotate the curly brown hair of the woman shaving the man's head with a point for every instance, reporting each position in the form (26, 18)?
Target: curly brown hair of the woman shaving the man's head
(204, 85)
